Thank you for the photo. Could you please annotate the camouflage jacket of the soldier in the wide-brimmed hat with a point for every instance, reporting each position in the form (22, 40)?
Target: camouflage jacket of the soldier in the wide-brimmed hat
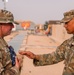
(6, 67)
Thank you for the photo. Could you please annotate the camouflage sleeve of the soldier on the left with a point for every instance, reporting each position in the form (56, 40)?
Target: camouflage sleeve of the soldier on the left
(7, 70)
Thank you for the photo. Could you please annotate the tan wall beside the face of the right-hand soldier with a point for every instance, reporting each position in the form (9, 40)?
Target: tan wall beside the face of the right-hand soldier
(59, 33)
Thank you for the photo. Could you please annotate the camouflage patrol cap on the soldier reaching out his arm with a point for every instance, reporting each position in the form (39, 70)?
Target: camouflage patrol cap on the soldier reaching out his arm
(68, 16)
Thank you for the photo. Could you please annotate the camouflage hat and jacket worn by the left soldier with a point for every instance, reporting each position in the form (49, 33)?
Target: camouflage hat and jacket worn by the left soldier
(6, 67)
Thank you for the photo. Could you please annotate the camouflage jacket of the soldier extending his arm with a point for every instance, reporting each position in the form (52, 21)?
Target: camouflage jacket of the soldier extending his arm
(64, 52)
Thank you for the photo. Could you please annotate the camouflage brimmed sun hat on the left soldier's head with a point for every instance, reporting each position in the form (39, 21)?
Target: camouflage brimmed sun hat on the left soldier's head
(6, 16)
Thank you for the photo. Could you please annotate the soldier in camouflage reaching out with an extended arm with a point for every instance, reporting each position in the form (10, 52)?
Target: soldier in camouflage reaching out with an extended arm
(63, 52)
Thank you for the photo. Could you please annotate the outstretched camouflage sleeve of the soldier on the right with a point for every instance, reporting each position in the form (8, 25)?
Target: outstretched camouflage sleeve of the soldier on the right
(52, 58)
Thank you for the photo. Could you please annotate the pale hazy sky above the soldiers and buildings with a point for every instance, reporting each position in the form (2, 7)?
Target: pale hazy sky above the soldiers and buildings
(38, 11)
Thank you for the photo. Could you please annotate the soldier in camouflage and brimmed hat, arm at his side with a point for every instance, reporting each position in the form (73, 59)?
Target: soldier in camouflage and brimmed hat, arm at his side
(6, 25)
